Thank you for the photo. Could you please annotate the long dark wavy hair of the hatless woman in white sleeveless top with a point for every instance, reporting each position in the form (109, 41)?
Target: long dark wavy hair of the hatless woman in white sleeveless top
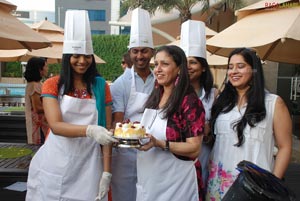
(256, 110)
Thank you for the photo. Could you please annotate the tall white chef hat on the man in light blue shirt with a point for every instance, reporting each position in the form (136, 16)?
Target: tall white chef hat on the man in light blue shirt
(141, 31)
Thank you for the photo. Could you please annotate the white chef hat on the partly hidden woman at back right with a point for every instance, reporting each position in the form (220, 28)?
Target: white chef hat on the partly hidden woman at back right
(193, 38)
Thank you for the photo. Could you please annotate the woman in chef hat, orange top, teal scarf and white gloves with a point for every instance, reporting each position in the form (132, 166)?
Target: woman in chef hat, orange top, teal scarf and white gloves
(70, 166)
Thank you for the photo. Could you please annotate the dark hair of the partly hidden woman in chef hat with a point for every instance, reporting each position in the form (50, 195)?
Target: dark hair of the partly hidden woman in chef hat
(206, 79)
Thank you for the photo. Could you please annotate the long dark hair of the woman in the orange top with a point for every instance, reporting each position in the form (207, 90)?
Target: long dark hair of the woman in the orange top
(66, 79)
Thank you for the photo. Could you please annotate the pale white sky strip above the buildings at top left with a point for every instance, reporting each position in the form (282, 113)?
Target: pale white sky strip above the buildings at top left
(26, 5)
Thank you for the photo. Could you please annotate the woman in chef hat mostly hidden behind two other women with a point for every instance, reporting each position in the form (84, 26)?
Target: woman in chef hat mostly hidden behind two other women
(193, 43)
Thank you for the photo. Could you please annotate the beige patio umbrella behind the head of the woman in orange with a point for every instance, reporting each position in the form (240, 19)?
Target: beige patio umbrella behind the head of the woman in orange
(53, 33)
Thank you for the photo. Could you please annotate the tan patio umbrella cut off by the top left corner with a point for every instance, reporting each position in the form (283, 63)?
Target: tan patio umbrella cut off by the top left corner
(16, 35)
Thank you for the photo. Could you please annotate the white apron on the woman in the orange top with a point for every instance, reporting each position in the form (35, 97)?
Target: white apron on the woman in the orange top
(67, 169)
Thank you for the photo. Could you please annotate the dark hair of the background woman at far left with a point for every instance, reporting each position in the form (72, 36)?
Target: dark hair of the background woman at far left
(33, 67)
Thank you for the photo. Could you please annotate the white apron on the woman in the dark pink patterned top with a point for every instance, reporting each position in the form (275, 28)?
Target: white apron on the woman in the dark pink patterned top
(162, 176)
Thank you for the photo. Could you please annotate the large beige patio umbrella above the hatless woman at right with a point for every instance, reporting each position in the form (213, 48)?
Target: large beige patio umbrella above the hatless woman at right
(273, 32)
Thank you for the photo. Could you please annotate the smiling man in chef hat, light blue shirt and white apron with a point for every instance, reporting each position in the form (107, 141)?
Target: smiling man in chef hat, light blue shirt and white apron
(129, 92)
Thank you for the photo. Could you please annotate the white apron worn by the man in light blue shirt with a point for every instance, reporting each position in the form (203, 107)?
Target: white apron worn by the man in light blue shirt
(124, 159)
